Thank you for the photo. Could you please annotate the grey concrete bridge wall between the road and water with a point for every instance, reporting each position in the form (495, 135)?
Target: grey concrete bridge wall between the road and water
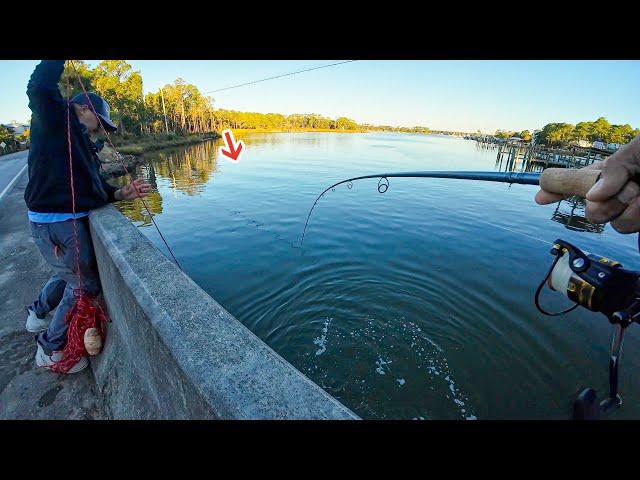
(173, 352)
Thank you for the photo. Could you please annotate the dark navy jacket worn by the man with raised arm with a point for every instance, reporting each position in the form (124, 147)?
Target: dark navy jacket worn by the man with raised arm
(49, 188)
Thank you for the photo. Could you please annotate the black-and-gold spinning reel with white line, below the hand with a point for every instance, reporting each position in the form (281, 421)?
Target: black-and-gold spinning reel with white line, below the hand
(600, 285)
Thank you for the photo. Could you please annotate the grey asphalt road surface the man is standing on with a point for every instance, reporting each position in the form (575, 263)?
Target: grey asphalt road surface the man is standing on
(27, 392)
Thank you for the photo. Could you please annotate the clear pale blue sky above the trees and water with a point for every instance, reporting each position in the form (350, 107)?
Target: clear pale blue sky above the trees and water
(449, 95)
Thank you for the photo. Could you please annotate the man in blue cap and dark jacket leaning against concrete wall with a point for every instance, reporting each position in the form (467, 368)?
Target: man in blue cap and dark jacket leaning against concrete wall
(49, 200)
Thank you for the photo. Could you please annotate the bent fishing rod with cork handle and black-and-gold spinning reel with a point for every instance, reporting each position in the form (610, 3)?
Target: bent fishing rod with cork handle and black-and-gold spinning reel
(590, 281)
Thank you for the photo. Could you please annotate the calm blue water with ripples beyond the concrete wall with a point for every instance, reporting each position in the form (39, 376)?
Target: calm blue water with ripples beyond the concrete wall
(415, 303)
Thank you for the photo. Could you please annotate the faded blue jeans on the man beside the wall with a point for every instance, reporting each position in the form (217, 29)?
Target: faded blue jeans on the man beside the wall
(58, 291)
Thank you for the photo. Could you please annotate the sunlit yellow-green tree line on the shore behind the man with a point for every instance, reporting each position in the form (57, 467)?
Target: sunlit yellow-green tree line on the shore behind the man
(181, 108)
